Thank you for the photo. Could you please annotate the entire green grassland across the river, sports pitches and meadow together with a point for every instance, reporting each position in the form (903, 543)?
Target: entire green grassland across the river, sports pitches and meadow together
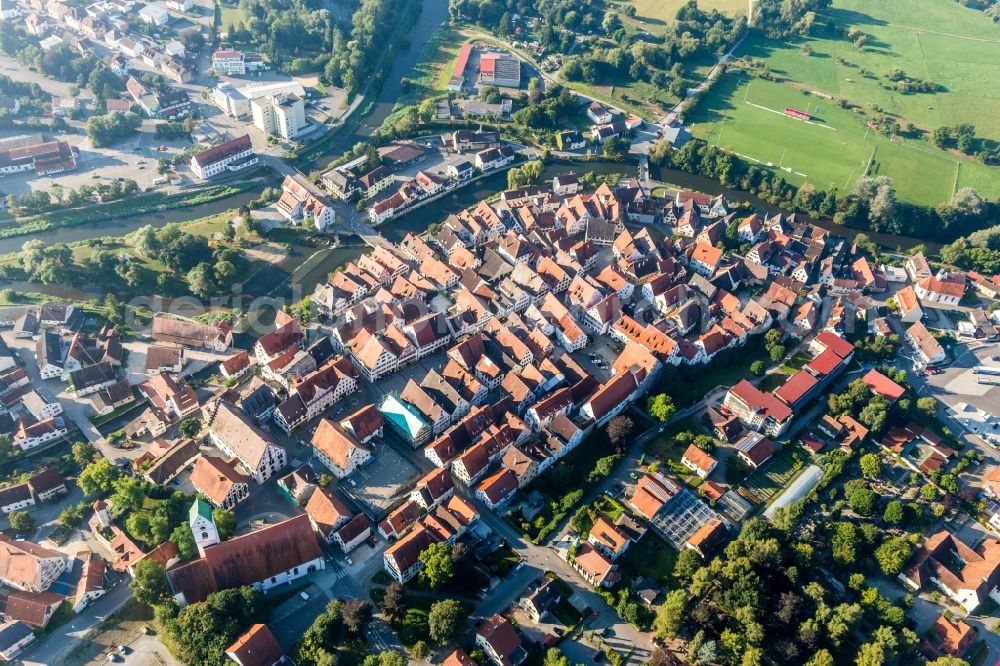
(937, 40)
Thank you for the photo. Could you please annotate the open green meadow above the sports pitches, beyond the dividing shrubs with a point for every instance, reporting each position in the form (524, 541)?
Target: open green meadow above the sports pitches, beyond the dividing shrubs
(935, 40)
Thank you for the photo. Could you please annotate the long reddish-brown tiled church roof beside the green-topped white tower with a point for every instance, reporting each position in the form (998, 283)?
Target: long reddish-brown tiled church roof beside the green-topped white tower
(247, 559)
